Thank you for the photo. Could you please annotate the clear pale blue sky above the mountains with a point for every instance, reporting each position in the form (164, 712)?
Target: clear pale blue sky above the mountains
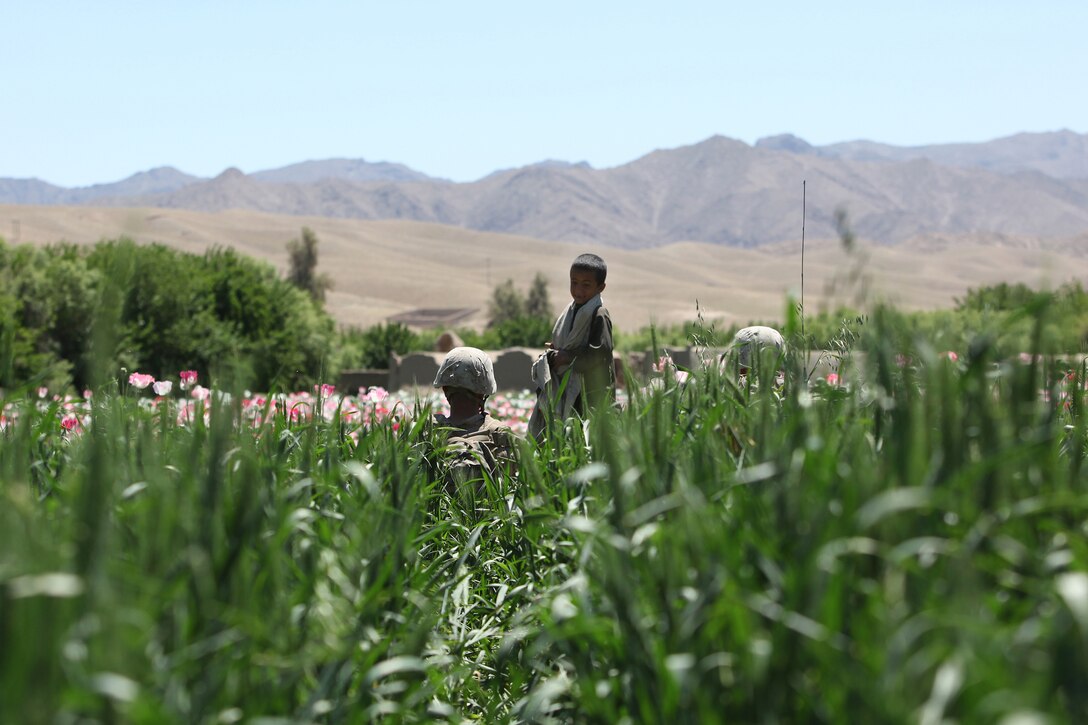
(94, 92)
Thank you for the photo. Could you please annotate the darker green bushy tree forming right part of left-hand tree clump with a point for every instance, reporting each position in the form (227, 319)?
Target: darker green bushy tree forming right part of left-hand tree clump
(217, 313)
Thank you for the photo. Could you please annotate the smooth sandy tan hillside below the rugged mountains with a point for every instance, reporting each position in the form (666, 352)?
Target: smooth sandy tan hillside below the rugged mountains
(382, 268)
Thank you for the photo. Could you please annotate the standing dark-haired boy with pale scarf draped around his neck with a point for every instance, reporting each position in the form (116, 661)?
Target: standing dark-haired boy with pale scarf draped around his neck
(578, 361)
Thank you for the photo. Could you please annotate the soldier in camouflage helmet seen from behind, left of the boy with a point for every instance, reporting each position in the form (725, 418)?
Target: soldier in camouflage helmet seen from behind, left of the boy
(475, 441)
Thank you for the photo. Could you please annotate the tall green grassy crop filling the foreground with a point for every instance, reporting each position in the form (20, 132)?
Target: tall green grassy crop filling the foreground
(906, 545)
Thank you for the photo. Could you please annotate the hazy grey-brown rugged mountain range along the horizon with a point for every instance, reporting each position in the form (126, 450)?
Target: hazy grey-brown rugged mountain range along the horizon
(720, 191)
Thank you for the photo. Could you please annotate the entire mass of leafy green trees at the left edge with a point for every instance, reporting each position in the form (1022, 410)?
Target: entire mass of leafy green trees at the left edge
(174, 311)
